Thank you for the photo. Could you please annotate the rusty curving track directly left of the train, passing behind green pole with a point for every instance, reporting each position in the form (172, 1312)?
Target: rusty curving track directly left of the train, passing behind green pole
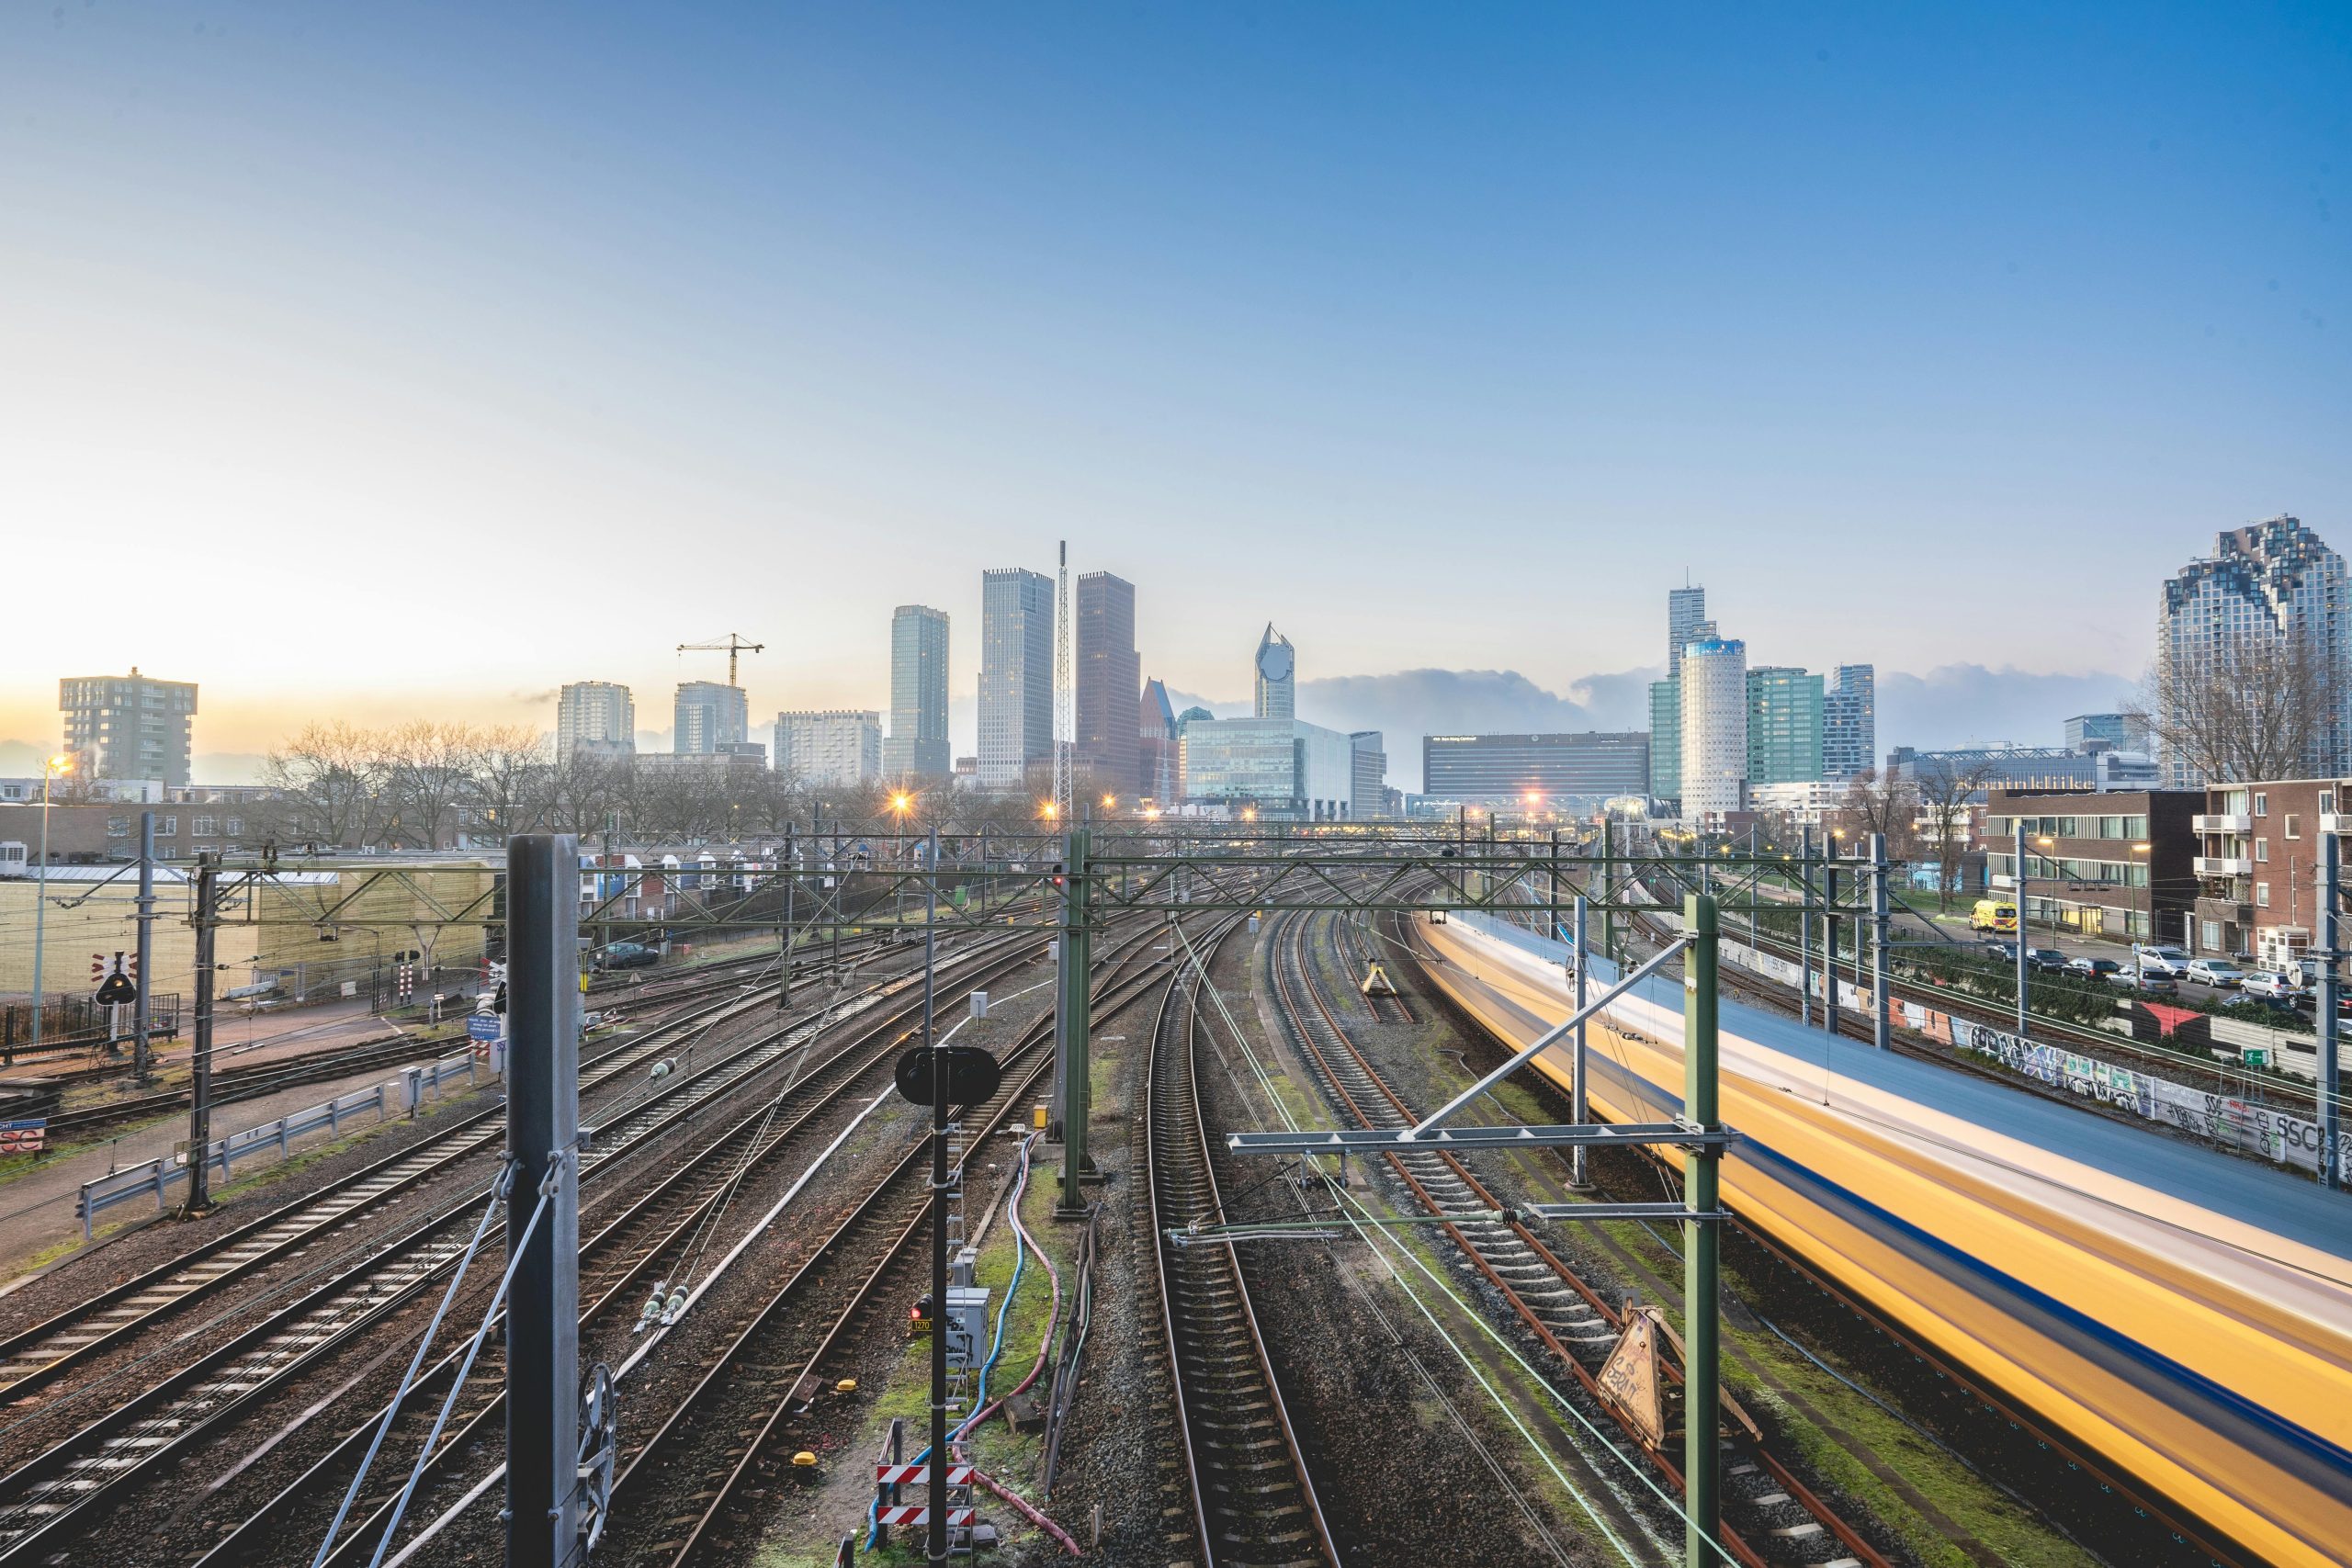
(1770, 1517)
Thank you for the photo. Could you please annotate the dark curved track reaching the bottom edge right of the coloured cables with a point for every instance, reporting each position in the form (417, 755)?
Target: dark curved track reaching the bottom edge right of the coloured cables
(1252, 1496)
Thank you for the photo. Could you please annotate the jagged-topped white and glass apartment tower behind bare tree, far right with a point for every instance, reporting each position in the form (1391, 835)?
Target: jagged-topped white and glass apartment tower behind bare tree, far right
(2266, 587)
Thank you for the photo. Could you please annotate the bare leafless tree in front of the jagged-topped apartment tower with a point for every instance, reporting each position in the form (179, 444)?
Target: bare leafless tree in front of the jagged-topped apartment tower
(2252, 709)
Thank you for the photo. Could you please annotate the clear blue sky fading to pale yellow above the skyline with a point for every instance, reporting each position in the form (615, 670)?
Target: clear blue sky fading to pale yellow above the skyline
(425, 359)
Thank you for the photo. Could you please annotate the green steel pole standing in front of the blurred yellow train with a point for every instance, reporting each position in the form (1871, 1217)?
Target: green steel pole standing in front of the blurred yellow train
(1699, 1242)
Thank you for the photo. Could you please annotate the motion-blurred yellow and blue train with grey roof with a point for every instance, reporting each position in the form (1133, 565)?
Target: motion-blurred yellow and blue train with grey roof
(2172, 1315)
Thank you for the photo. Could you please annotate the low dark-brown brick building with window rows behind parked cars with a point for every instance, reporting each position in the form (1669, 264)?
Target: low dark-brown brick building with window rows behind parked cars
(2111, 866)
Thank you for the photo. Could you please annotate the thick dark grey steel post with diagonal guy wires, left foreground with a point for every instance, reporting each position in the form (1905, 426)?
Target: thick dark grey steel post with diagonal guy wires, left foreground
(542, 1139)
